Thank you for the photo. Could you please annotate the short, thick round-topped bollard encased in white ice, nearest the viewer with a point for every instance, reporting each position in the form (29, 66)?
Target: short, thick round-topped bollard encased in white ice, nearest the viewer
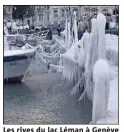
(100, 90)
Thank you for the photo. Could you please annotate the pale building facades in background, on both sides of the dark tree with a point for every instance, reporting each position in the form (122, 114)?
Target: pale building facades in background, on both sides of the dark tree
(47, 15)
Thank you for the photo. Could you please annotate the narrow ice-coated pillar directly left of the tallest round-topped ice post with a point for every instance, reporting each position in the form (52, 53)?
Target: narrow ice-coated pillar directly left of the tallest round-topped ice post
(91, 58)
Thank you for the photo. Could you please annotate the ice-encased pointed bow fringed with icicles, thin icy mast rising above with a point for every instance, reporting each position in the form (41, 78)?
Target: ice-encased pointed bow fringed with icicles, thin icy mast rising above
(69, 59)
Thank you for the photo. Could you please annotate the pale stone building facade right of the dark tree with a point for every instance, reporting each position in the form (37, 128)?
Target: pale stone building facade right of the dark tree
(58, 14)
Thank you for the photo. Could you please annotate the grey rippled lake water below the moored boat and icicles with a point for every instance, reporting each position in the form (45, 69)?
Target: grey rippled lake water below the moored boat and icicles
(43, 99)
